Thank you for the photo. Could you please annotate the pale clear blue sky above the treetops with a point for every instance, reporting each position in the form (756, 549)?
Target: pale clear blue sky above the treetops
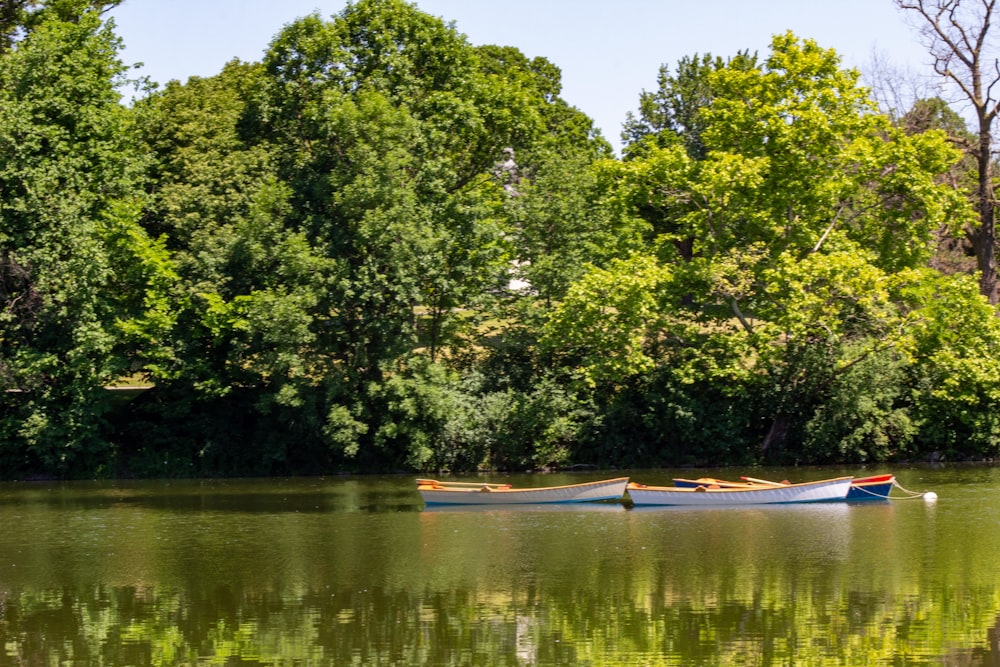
(609, 51)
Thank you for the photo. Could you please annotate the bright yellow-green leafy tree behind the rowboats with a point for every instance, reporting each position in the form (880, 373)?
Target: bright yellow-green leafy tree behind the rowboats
(782, 240)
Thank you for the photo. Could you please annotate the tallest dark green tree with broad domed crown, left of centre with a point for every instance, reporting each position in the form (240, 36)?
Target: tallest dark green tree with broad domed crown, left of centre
(387, 127)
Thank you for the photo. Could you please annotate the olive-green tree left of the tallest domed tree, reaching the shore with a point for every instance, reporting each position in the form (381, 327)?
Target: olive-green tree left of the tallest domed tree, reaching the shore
(248, 287)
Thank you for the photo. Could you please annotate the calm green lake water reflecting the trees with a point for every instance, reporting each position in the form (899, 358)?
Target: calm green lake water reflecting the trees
(355, 571)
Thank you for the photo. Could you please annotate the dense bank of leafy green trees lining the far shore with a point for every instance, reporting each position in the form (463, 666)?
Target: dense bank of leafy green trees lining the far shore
(383, 248)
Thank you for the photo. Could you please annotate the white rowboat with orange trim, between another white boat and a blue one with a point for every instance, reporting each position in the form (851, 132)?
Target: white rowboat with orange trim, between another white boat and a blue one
(826, 490)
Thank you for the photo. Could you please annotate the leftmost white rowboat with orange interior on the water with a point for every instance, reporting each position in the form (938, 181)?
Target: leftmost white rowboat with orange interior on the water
(478, 493)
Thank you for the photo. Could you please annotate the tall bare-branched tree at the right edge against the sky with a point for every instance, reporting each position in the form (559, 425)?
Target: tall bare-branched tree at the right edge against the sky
(957, 34)
